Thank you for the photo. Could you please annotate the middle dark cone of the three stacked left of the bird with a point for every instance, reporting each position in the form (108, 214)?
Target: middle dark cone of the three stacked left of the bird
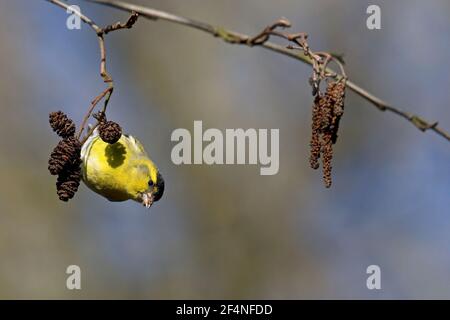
(65, 154)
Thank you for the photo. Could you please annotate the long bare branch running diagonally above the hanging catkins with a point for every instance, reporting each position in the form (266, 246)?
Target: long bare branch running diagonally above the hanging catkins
(261, 40)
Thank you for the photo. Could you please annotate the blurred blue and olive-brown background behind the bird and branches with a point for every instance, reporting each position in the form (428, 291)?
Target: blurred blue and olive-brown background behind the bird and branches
(226, 231)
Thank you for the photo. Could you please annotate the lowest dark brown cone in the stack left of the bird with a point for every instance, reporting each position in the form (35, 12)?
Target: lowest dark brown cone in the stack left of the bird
(68, 181)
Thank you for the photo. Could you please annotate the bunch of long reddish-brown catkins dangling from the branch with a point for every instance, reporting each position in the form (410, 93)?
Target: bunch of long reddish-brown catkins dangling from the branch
(328, 109)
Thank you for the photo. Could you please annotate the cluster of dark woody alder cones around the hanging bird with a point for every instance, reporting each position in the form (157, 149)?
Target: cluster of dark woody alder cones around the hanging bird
(65, 161)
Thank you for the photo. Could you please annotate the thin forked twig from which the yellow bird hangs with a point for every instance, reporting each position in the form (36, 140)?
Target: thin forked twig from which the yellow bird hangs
(100, 32)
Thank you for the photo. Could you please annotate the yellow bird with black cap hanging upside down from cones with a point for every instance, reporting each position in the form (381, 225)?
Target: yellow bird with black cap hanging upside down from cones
(120, 171)
